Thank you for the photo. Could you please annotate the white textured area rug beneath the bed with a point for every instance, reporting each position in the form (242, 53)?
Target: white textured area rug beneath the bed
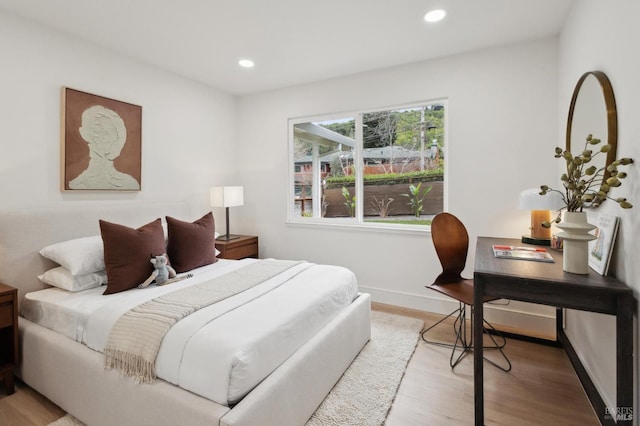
(365, 392)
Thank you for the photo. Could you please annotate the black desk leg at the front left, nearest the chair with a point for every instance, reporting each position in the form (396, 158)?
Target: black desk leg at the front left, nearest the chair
(478, 373)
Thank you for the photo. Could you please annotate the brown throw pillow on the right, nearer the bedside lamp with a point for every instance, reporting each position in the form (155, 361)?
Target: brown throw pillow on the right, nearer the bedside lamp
(191, 244)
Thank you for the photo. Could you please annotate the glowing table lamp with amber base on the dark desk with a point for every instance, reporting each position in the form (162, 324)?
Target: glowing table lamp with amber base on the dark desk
(540, 206)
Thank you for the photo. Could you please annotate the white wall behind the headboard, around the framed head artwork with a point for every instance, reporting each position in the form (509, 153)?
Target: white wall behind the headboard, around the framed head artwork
(187, 128)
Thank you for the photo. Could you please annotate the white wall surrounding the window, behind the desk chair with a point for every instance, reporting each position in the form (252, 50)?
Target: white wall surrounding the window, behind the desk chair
(502, 106)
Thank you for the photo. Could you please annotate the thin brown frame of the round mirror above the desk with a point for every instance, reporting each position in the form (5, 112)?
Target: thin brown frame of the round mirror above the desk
(612, 115)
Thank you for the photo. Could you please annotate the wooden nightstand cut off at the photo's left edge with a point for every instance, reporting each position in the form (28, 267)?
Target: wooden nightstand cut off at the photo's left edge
(8, 335)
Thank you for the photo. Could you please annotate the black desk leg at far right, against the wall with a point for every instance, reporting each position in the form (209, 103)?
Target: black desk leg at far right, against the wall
(624, 358)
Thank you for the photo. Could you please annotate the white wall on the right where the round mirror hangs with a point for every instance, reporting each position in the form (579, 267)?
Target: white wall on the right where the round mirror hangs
(604, 36)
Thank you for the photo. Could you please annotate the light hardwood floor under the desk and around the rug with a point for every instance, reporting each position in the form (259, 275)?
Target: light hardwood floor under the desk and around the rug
(541, 389)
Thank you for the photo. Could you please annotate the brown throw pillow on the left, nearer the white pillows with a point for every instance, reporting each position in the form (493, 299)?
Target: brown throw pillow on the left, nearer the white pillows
(127, 253)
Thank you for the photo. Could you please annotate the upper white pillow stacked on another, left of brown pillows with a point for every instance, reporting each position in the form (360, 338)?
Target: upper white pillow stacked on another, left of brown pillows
(80, 256)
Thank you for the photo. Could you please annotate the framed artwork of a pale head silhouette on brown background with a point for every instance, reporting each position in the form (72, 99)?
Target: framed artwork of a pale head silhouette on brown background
(101, 143)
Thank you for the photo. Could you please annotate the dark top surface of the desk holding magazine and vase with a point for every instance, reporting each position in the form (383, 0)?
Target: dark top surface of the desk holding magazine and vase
(487, 264)
